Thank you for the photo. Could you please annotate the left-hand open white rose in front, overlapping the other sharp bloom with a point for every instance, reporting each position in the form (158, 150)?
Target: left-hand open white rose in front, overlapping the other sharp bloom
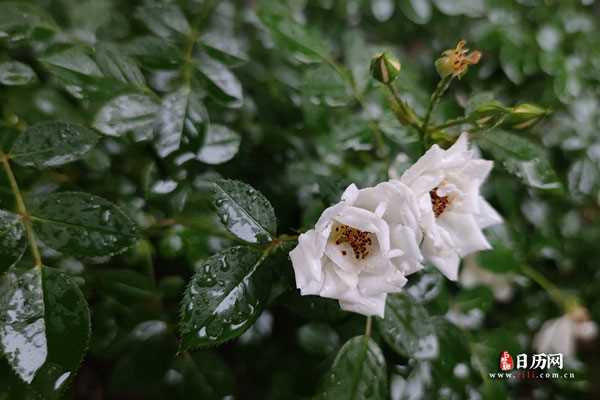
(361, 248)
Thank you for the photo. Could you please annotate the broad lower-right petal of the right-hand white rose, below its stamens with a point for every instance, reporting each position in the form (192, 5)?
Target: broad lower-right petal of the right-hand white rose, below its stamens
(465, 232)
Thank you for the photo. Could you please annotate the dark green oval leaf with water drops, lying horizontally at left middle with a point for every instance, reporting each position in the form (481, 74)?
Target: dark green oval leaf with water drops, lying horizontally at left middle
(81, 224)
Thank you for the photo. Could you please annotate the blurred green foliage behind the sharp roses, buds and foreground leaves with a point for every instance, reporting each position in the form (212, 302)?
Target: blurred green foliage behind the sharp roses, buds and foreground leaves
(284, 120)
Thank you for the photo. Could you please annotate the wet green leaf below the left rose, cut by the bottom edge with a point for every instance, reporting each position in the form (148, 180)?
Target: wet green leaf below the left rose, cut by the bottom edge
(358, 372)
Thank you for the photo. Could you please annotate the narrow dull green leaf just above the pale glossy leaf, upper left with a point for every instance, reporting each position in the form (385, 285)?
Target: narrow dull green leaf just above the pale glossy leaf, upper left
(114, 63)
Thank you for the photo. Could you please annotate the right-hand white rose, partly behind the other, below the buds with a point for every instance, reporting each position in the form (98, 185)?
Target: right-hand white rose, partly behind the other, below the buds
(453, 213)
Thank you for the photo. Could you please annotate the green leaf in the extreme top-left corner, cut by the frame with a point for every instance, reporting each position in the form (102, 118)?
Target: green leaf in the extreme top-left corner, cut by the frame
(19, 20)
